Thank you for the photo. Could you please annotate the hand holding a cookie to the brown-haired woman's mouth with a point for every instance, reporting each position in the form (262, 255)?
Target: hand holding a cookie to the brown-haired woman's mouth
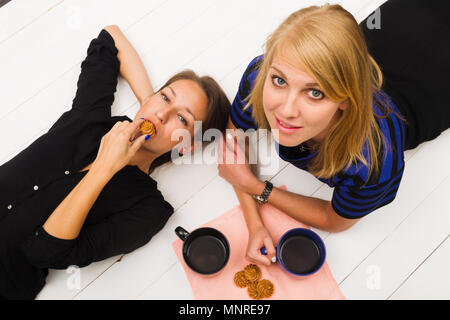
(115, 149)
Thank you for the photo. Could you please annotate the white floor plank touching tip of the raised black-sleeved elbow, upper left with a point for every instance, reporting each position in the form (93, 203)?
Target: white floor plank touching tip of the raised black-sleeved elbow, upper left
(38, 55)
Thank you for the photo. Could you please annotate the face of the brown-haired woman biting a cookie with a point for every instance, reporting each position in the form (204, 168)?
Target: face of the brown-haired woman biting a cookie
(176, 106)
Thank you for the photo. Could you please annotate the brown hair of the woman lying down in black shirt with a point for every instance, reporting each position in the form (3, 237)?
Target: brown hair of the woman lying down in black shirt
(217, 110)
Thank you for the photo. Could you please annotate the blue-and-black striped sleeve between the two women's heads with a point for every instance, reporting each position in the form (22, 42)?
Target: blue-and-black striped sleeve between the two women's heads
(243, 118)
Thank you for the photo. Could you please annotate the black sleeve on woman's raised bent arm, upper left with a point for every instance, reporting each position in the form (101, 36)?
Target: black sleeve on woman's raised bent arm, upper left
(98, 78)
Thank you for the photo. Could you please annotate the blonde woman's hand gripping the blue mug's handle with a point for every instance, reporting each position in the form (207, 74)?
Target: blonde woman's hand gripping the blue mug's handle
(259, 238)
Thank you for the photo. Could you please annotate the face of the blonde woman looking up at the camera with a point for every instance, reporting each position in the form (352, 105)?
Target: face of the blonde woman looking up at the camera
(295, 105)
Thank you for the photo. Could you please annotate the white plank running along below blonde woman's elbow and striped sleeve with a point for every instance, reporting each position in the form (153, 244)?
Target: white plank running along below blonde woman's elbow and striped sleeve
(347, 249)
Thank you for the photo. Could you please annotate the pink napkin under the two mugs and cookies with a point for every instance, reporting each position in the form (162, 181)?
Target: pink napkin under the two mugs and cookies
(319, 286)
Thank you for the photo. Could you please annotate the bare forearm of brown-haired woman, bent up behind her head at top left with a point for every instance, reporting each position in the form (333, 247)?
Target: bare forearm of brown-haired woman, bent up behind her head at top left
(131, 67)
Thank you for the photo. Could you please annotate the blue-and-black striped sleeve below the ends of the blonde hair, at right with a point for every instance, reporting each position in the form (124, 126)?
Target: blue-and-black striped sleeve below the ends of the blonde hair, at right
(354, 203)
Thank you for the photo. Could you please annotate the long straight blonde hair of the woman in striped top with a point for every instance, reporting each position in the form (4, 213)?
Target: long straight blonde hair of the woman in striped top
(328, 42)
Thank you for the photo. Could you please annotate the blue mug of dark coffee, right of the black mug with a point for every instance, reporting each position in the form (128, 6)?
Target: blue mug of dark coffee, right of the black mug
(300, 251)
